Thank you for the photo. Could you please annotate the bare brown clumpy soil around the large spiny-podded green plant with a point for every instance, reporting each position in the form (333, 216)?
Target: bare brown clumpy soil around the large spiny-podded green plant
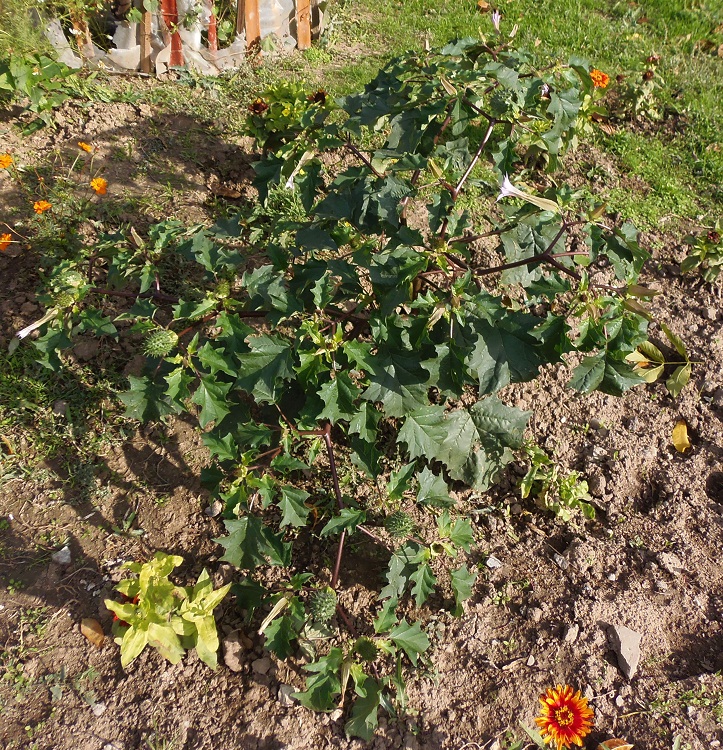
(650, 561)
